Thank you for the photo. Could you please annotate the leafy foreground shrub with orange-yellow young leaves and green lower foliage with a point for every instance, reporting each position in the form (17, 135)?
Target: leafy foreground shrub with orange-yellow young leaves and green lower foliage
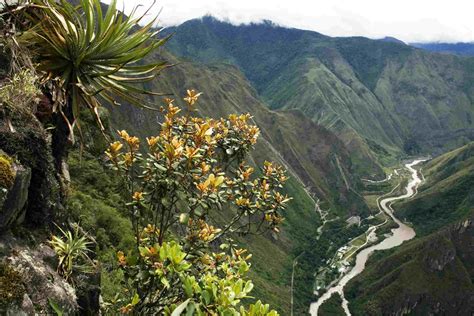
(177, 187)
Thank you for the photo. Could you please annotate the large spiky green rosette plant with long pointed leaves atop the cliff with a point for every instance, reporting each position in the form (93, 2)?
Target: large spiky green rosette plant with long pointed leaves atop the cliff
(92, 57)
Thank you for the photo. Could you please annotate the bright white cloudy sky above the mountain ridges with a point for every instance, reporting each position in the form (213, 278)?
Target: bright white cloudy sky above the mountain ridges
(407, 20)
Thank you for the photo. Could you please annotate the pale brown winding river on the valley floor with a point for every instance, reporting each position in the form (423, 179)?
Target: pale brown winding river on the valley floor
(399, 235)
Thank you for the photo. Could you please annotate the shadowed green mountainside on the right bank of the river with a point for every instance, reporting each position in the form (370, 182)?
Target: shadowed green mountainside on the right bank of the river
(433, 274)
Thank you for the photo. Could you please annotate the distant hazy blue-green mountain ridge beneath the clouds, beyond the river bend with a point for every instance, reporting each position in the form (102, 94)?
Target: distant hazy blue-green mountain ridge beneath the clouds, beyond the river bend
(381, 98)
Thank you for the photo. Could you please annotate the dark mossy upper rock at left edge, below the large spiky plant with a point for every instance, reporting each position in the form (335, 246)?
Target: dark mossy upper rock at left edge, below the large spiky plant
(29, 146)
